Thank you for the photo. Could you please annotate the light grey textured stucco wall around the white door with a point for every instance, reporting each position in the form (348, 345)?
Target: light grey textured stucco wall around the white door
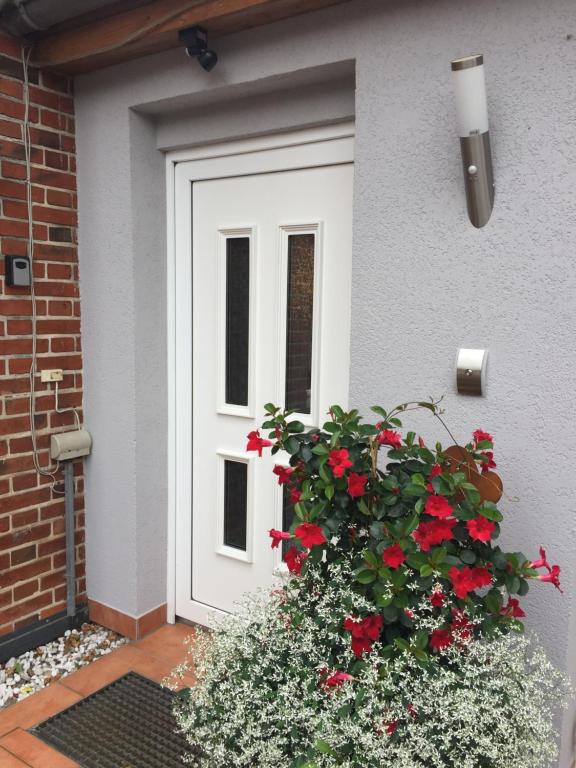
(425, 282)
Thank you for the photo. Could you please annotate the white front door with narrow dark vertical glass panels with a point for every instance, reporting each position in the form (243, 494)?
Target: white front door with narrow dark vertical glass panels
(268, 235)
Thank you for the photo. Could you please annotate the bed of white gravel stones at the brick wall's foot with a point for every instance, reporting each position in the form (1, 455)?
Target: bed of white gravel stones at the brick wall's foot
(33, 670)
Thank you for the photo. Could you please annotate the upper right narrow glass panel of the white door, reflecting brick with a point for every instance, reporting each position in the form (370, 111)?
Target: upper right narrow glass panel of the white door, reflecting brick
(300, 312)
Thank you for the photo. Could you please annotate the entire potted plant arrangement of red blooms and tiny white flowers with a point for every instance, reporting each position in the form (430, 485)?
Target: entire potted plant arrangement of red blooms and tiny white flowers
(397, 640)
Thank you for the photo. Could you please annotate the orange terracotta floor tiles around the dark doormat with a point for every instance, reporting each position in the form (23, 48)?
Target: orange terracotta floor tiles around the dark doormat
(155, 657)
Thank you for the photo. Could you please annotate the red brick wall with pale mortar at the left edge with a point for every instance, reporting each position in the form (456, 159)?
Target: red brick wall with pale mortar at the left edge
(32, 555)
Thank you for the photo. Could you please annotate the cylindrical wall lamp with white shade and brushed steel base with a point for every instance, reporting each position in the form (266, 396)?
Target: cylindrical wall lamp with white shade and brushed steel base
(472, 113)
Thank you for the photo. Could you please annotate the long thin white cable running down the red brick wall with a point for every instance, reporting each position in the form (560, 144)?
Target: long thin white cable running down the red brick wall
(49, 471)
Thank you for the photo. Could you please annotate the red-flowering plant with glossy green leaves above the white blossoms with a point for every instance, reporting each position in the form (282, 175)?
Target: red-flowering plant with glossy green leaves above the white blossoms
(425, 526)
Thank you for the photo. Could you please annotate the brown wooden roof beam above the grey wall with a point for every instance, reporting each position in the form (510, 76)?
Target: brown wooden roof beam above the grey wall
(154, 27)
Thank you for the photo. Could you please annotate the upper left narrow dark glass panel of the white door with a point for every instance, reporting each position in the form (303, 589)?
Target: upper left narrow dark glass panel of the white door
(237, 319)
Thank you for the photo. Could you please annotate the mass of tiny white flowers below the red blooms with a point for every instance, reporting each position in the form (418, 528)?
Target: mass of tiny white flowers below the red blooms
(262, 702)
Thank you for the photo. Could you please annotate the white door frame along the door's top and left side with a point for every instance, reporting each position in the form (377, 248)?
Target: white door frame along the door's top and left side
(320, 146)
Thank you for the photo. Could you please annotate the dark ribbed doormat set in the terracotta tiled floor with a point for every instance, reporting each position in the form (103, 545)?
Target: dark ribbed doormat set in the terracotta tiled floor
(127, 724)
